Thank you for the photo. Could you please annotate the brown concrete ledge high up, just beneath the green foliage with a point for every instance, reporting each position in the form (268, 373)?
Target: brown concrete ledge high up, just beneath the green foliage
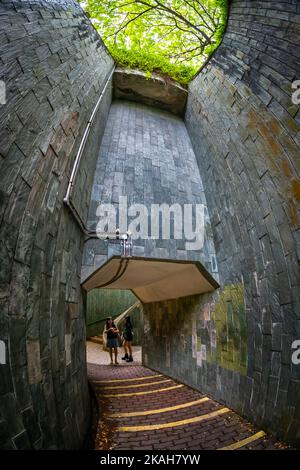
(158, 91)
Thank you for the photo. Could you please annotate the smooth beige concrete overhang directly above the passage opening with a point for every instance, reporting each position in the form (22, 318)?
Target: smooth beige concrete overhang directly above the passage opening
(152, 279)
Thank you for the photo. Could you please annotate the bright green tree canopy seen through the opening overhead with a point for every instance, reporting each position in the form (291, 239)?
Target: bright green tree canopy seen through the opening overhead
(171, 36)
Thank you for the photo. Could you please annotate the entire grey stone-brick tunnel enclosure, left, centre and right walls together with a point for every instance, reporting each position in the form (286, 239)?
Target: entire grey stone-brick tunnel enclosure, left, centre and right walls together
(233, 147)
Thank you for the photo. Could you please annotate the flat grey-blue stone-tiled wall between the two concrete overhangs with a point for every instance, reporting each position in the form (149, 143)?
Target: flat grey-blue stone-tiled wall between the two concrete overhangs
(146, 155)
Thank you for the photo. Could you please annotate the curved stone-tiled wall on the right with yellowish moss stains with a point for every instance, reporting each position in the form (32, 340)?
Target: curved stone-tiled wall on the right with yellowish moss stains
(245, 132)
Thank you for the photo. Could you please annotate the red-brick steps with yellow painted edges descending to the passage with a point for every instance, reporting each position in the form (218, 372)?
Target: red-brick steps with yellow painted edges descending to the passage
(142, 409)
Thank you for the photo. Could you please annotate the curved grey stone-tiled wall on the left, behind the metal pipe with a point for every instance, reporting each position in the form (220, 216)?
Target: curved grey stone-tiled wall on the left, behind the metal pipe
(54, 66)
